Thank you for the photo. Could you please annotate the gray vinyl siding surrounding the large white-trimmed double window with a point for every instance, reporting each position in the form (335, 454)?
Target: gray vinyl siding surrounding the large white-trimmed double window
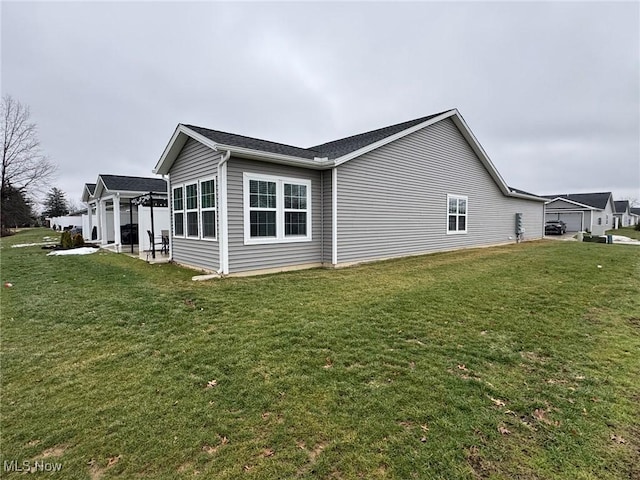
(244, 258)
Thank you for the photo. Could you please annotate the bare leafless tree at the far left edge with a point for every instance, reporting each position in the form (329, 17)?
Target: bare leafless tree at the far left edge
(24, 167)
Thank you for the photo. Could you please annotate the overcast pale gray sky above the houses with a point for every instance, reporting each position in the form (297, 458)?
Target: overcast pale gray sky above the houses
(550, 89)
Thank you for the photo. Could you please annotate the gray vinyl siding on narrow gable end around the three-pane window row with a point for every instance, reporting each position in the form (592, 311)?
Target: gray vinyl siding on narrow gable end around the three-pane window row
(195, 162)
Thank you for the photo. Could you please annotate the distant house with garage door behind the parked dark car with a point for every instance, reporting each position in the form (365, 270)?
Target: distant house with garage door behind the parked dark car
(591, 212)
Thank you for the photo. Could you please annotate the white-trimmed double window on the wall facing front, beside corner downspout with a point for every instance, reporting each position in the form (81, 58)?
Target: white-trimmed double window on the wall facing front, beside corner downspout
(276, 209)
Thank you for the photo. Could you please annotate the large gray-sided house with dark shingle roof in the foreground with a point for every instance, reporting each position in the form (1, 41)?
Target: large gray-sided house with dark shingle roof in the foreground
(243, 205)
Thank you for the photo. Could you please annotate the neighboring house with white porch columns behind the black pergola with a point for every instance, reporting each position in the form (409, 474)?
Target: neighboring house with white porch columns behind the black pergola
(116, 209)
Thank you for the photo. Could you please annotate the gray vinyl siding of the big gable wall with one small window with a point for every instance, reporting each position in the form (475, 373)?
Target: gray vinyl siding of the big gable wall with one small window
(393, 200)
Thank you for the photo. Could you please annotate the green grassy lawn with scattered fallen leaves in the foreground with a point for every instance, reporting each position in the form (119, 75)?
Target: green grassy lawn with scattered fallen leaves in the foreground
(520, 361)
